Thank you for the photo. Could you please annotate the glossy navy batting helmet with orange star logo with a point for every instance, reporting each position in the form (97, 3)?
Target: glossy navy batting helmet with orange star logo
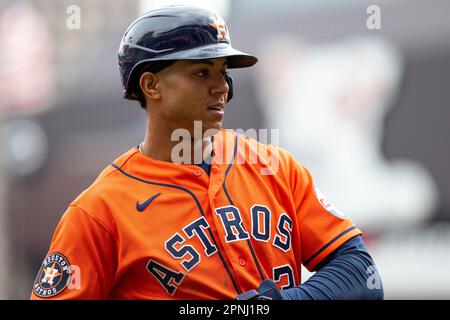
(175, 33)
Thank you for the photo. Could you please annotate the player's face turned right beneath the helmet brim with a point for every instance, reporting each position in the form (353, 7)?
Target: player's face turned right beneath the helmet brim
(194, 91)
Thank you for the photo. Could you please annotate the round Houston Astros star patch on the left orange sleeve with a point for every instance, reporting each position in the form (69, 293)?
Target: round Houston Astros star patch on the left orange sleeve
(53, 276)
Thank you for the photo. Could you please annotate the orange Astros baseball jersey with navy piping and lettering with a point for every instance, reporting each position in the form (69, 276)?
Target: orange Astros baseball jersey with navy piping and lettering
(148, 229)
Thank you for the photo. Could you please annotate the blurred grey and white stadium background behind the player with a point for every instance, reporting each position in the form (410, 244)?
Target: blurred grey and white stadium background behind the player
(367, 110)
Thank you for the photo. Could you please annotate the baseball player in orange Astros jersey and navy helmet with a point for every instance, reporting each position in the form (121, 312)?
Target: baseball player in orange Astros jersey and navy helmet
(153, 227)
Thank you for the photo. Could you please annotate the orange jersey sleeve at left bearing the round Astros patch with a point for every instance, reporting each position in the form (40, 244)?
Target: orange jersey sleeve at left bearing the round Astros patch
(80, 263)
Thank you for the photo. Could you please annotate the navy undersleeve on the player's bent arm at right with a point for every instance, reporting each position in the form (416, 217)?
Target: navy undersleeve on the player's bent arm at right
(347, 273)
